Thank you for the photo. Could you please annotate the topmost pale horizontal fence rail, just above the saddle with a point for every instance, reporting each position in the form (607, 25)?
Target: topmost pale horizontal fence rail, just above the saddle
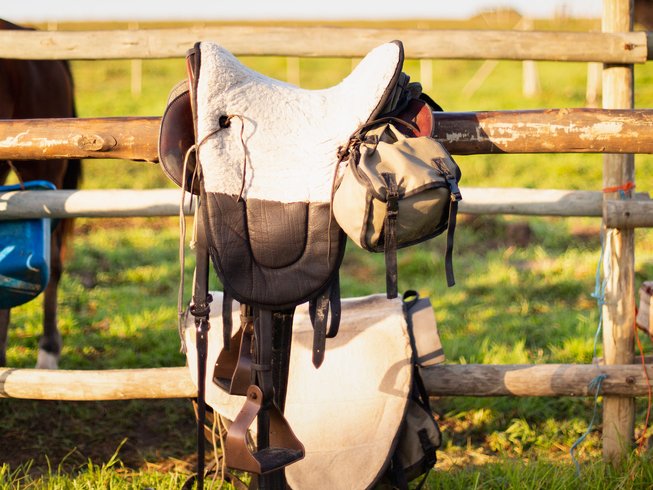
(628, 47)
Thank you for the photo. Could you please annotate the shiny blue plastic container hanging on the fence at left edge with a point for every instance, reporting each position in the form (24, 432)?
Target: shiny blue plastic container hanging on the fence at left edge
(24, 253)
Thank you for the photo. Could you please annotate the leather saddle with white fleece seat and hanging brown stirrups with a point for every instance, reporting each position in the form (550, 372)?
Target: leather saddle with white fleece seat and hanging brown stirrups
(262, 155)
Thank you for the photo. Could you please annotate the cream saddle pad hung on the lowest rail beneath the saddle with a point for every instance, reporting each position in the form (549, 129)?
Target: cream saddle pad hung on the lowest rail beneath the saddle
(347, 412)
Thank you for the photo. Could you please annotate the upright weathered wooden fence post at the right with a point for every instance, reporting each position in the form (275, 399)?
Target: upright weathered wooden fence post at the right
(619, 304)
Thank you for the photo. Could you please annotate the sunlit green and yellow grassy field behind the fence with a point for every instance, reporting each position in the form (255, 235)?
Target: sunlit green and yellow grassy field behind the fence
(524, 295)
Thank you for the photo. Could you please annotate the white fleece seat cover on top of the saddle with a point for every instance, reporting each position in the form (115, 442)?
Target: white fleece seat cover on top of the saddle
(290, 135)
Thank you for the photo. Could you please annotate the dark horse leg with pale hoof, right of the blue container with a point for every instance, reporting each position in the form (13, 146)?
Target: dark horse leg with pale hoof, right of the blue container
(50, 343)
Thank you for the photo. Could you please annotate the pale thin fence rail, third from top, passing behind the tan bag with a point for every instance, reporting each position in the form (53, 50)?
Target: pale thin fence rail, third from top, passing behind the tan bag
(165, 202)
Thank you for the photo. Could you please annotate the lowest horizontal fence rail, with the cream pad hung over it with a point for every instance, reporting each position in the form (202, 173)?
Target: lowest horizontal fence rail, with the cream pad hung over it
(478, 380)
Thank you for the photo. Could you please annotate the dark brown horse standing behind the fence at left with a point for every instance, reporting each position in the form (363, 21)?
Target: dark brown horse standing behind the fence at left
(40, 89)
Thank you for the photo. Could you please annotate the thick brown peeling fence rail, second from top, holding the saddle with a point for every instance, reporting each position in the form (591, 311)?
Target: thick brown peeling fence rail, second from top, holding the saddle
(463, 133)
